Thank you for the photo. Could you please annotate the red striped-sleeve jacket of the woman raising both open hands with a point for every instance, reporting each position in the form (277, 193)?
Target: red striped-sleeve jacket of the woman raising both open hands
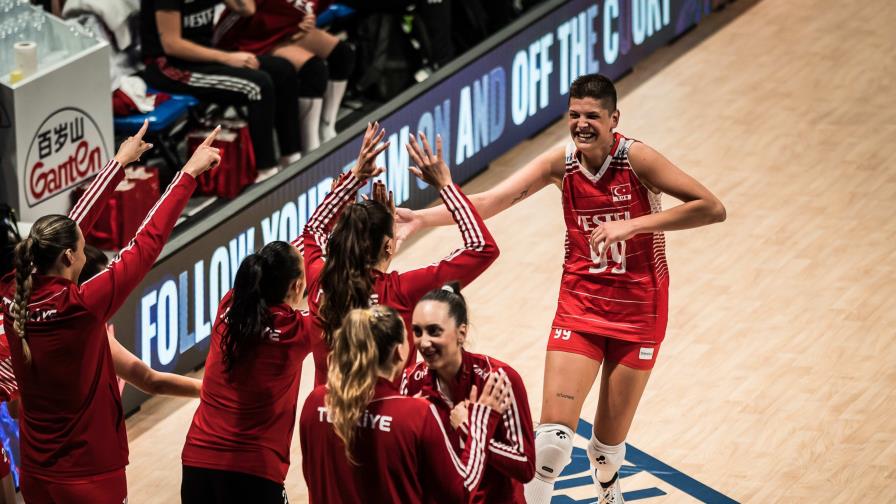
(400, 291)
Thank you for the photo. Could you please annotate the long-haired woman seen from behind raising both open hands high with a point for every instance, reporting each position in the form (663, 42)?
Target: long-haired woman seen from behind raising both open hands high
(360, 247)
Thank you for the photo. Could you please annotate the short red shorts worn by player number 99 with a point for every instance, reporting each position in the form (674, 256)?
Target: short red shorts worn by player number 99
(631, 354)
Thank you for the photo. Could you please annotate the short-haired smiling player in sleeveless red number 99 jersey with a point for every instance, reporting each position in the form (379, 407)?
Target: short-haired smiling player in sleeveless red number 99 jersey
(614, 289)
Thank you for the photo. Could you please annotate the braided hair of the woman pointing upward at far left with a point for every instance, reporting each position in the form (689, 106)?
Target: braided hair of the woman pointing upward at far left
(50, 236)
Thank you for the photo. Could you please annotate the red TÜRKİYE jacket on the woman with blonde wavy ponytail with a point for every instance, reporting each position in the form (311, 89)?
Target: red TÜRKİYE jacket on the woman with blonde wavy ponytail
(402, 449)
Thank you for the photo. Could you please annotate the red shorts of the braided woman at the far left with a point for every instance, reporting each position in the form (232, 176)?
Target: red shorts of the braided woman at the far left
(107, 488)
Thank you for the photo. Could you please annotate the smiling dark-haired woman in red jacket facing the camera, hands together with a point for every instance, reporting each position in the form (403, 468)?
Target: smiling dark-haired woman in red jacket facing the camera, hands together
(446, 376)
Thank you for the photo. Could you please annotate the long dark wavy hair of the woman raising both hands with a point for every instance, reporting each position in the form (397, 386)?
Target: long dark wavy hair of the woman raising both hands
(353, 250)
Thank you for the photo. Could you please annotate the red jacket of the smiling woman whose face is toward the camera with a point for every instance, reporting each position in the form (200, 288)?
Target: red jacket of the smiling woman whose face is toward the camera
(511, 458)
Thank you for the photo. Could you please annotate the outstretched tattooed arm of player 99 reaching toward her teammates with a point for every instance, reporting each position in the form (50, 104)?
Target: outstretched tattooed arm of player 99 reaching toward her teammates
(545, 169)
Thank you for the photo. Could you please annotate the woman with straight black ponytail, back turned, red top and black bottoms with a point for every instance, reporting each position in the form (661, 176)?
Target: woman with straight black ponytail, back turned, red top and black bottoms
(237, 448)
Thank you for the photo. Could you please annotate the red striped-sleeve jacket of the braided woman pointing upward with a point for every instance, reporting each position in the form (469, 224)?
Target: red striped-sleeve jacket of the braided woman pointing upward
(72, 422)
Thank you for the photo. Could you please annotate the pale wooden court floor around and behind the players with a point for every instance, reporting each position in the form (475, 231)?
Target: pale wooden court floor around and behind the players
(776, 382)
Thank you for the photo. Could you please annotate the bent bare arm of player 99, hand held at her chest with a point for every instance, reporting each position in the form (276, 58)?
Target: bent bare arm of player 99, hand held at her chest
(700, 206)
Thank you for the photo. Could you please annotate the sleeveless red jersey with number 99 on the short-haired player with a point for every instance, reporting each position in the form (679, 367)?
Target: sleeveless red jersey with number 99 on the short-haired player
(623, 294)
